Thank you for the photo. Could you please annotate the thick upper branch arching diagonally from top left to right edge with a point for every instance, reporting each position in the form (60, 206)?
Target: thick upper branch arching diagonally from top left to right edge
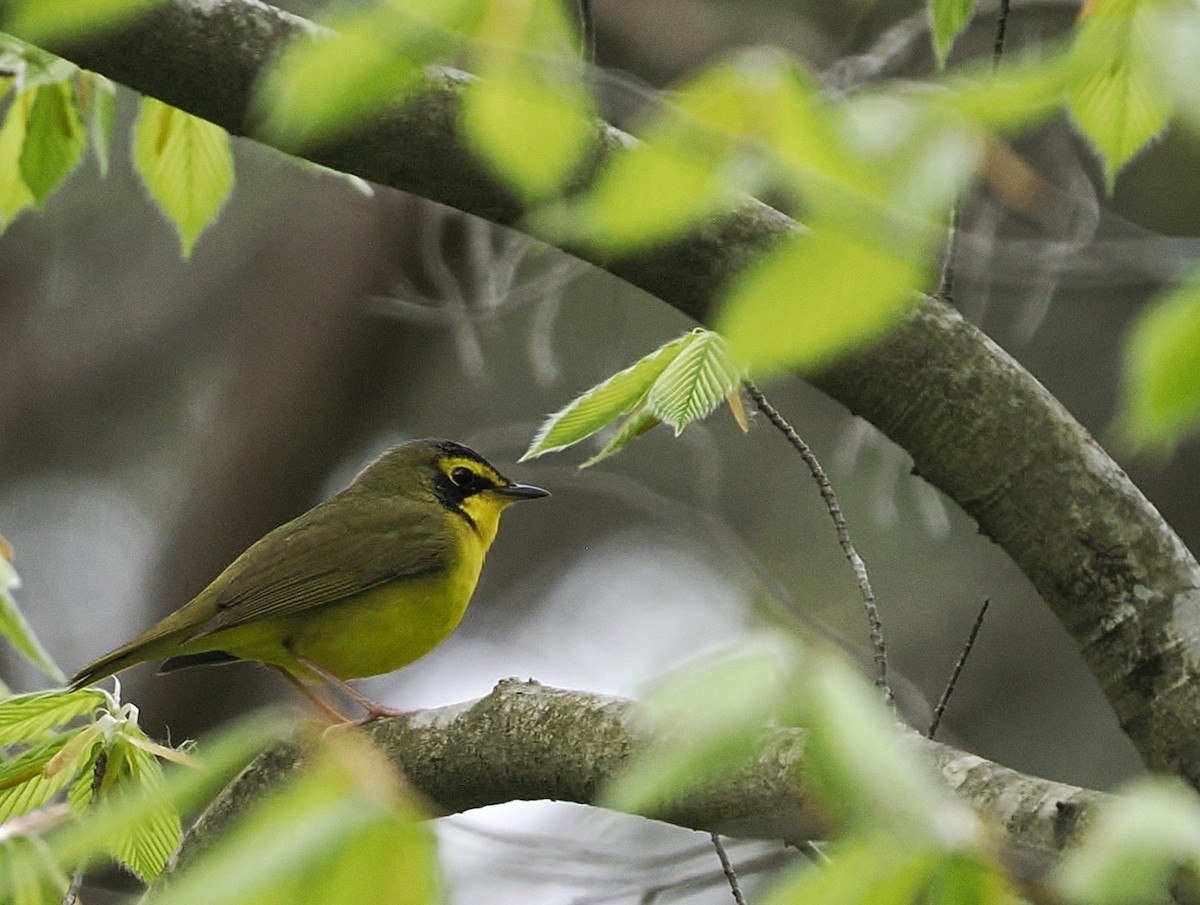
(977, 425)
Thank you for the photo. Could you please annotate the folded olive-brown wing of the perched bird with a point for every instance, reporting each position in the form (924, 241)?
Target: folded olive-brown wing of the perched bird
(320, 560)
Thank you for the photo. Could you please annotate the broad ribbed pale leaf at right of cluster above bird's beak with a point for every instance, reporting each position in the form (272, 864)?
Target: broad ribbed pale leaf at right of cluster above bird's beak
(695, 383)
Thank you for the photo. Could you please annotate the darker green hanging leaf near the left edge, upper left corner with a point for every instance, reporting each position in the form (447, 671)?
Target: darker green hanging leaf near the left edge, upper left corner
(55, 140)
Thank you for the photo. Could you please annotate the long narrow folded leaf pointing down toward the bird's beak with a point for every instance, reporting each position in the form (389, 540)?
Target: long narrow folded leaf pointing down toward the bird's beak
(598, 407)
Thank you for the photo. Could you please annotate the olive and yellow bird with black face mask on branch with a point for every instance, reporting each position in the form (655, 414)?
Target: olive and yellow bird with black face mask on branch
(367, 583)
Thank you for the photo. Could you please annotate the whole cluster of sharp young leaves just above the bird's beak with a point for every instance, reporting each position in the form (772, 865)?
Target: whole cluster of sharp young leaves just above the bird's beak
(679, 383)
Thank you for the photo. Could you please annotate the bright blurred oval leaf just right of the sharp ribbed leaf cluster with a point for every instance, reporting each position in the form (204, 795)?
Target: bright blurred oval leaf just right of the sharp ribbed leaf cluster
(815, 297)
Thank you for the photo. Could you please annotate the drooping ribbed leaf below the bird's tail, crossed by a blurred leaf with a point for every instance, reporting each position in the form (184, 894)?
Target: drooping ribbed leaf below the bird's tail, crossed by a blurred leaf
(146, 847)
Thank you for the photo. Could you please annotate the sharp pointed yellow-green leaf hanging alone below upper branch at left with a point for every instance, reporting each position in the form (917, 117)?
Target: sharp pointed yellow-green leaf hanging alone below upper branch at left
(185, 164)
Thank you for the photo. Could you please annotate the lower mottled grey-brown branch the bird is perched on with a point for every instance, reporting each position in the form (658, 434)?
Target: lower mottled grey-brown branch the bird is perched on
(527, 742)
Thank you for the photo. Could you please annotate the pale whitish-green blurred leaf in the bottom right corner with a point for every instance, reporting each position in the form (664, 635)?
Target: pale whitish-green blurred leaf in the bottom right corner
(1132, 850)
